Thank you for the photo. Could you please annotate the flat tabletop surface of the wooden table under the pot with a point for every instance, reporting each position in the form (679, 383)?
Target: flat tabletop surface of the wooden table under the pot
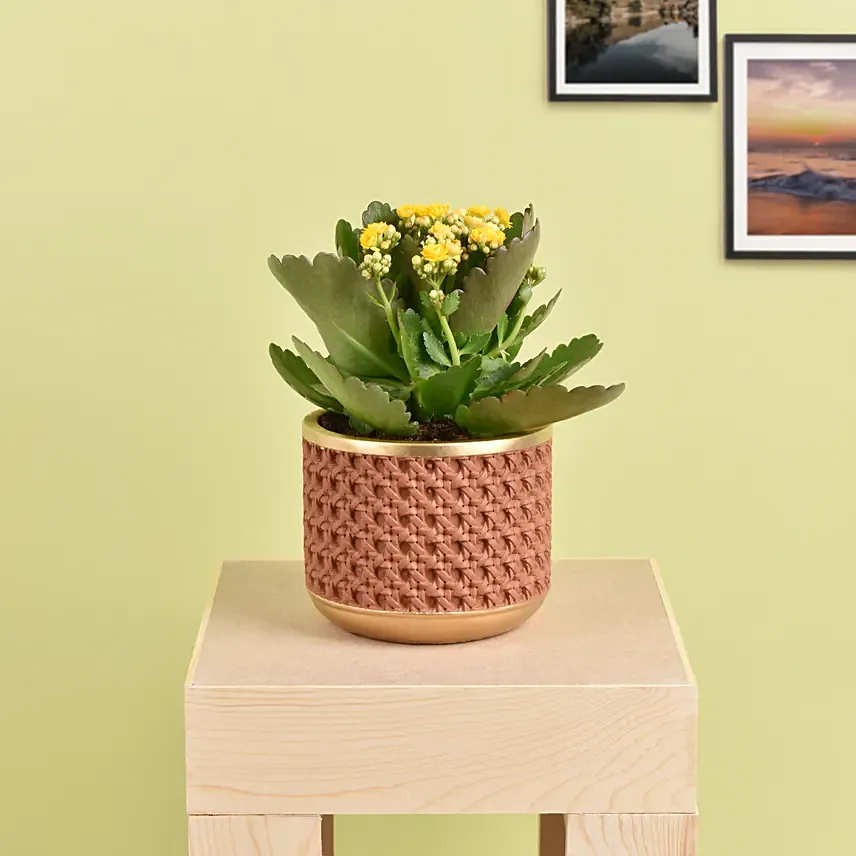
(604, 622)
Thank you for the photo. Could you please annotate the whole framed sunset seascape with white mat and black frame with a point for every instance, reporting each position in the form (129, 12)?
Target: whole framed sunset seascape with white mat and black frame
(790, 147)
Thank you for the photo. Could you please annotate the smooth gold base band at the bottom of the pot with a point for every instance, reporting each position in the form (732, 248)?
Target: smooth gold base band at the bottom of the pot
(433, 628)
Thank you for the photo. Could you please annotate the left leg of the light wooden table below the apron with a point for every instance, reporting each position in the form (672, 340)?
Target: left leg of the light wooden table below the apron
(254, 835)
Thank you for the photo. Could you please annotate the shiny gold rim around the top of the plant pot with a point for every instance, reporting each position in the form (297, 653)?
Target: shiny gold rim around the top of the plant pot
(314, 433)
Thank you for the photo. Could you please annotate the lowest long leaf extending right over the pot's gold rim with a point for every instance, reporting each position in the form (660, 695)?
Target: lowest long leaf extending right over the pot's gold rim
(517, 412)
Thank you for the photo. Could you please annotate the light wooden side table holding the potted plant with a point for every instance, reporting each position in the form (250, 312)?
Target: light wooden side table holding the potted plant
(586, 716)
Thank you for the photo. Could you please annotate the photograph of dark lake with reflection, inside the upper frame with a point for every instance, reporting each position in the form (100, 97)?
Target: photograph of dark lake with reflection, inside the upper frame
(631, 42)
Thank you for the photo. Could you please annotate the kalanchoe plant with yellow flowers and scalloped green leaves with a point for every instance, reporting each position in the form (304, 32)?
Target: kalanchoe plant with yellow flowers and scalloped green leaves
(424, 311)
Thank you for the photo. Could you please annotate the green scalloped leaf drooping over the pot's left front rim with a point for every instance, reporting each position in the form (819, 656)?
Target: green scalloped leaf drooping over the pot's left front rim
(367, 404)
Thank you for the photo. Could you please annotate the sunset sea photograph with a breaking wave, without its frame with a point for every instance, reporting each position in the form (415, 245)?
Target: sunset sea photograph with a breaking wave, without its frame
(801, 147)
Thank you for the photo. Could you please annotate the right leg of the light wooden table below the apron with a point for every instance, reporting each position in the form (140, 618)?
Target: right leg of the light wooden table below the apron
(631, 835)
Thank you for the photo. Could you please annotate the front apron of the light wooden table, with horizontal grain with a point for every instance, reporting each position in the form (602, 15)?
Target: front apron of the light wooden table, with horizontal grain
(402, 750)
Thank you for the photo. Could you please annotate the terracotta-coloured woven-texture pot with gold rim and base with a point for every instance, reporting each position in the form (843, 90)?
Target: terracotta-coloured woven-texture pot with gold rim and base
(426, 542)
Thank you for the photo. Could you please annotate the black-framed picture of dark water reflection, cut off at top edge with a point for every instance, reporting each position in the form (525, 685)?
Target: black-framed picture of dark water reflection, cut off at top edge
(632, 50)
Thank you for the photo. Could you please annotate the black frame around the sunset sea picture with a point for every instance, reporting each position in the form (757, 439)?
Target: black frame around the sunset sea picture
(731, 251)
